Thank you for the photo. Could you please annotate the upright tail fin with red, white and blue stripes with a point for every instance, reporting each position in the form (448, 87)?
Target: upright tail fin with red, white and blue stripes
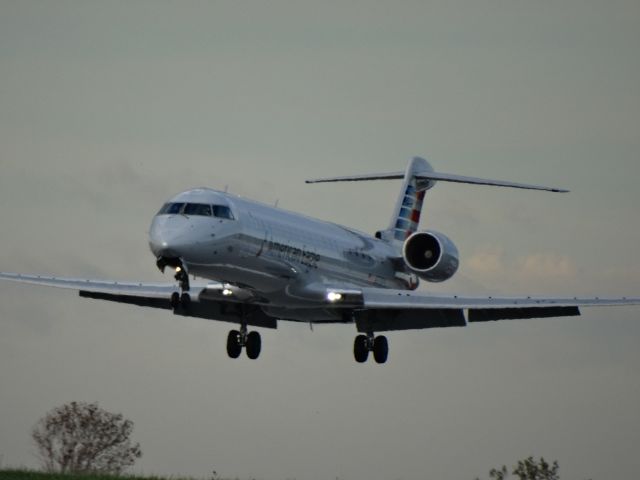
(406, 215)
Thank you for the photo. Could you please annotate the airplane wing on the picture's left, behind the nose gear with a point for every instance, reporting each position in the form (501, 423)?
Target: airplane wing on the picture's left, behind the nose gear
(208, 300)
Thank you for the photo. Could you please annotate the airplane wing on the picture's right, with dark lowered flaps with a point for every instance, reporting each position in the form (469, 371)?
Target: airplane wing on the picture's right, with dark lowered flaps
(385, 310)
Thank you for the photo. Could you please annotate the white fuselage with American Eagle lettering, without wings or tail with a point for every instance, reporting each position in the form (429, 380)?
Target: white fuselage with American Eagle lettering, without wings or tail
(273, 252)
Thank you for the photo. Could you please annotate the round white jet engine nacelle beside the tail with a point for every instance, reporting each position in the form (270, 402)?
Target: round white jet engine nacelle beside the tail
(431, 255)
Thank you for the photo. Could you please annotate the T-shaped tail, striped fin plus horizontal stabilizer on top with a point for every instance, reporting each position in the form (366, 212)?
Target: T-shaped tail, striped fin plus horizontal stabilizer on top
(417, 179)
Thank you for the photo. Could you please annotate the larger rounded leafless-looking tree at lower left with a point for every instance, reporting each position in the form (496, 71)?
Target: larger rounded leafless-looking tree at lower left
(82, 437)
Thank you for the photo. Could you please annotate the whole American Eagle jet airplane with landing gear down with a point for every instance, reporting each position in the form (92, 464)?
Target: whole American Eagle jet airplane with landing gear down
(260, 264)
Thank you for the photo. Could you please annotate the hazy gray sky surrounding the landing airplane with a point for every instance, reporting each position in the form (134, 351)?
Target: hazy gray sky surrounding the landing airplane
(109, 108)
